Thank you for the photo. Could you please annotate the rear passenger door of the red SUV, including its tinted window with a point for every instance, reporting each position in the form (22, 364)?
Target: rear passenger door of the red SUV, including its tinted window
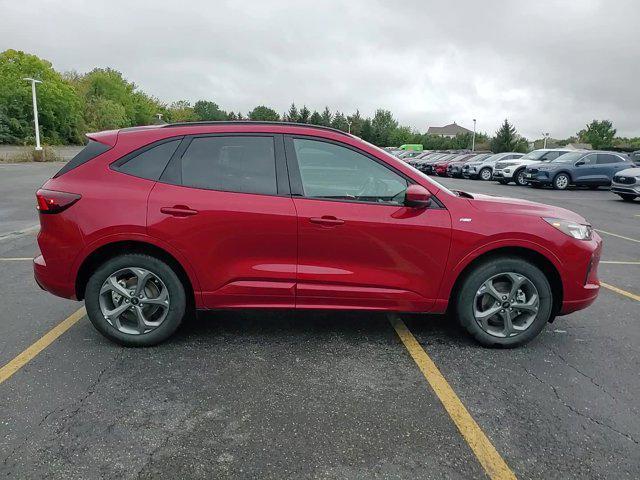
(224, 203)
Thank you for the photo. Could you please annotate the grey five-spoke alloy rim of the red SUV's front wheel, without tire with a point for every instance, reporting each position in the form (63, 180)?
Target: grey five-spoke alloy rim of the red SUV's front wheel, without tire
(506, 304)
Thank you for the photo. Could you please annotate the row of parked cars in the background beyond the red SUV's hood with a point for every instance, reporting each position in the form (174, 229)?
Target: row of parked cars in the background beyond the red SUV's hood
(557, 167)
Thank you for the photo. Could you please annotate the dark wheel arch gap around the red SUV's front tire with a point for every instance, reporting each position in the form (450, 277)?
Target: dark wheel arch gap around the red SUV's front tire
(532, 256)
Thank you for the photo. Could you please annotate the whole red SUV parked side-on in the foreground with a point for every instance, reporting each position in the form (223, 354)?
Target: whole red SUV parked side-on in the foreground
(147, 224)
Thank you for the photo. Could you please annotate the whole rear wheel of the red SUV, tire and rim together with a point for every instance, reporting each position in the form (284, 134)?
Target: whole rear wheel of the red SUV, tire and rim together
(135, 300)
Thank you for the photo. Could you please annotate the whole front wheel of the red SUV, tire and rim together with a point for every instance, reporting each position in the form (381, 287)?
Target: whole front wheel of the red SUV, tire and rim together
(504, 302)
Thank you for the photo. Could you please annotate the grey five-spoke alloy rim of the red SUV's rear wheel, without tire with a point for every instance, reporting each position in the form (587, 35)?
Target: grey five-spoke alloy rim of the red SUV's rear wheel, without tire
(134, 300)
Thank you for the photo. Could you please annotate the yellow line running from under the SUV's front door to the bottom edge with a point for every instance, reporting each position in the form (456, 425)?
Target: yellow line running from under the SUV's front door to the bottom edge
(490, 459)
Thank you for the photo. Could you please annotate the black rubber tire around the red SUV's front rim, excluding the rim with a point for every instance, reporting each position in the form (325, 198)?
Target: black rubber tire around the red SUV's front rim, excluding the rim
(466, 297)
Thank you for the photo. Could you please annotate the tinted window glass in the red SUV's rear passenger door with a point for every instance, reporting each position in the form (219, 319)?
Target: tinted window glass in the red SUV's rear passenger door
(243, 164)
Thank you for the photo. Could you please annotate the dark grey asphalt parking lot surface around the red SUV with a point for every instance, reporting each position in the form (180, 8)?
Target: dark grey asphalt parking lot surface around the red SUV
(290, 395)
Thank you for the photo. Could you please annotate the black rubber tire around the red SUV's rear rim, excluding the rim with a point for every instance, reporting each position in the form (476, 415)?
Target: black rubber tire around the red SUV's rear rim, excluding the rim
(176, 290)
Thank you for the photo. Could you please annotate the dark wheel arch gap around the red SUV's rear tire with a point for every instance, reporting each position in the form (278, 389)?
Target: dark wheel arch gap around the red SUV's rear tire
(113, 249)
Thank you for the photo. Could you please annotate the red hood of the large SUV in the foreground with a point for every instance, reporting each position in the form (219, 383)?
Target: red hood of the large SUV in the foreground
(507, 205)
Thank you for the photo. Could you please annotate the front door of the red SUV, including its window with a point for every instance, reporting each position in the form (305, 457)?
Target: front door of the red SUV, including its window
(358, 245)
